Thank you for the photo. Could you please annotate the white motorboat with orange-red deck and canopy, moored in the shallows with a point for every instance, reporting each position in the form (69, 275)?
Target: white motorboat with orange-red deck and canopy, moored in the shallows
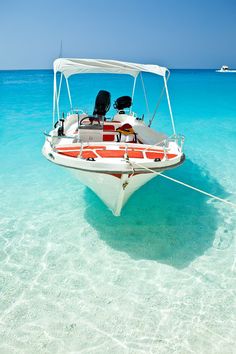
(112, 156)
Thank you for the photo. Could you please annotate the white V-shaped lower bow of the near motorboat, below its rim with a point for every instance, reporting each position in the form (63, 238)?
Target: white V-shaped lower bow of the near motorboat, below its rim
(113, 190)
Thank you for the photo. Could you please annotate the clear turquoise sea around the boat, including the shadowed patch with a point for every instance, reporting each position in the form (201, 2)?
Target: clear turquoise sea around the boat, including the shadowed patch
(158, 279)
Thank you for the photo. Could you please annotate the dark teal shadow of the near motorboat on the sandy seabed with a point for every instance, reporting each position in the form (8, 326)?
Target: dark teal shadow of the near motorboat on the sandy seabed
(162, 221)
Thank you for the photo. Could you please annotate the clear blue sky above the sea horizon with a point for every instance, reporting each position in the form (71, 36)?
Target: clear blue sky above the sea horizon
(173, 33)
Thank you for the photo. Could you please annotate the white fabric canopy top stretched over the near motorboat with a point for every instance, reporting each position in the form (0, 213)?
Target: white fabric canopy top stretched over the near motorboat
(84, 66)
